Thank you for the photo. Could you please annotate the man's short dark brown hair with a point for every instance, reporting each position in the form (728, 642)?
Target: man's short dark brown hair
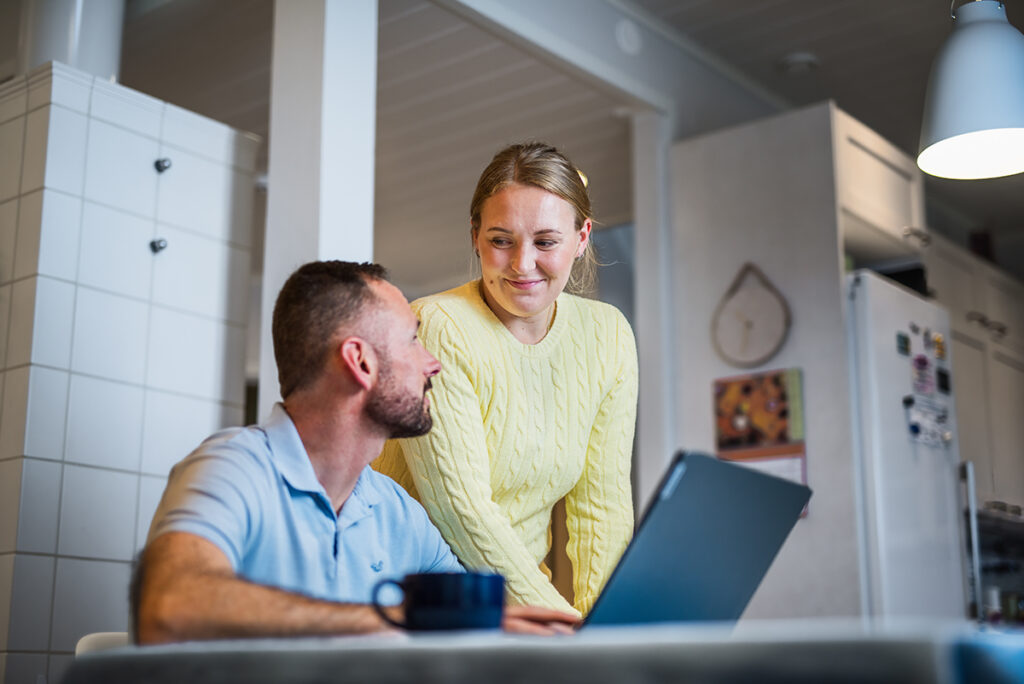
(315, 302)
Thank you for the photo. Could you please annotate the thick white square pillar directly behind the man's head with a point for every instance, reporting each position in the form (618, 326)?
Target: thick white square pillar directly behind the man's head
(321, 176)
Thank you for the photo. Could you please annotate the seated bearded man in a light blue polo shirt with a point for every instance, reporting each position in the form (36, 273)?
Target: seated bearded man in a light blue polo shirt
(282, 529)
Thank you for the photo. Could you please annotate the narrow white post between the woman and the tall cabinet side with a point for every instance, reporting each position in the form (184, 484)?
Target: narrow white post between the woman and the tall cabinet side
(653, 238)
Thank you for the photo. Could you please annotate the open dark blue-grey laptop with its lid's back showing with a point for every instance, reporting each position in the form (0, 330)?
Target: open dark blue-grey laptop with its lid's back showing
(703, 546)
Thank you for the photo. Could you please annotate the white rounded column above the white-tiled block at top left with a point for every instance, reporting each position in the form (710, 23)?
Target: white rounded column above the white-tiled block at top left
(80, 34)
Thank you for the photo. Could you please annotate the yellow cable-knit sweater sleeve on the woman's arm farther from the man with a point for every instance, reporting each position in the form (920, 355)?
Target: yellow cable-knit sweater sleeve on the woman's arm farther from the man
(600, 508)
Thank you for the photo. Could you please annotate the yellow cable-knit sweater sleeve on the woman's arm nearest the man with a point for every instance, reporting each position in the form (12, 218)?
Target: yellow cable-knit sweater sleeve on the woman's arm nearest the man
(451, 468)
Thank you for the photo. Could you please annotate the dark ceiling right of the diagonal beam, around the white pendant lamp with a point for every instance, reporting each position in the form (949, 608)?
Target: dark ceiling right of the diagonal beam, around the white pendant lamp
(875, 59)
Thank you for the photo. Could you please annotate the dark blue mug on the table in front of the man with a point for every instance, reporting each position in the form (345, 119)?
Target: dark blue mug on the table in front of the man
(448, 602)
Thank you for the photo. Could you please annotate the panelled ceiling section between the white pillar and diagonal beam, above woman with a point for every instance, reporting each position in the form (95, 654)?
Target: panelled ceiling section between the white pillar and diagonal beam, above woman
(449, 97)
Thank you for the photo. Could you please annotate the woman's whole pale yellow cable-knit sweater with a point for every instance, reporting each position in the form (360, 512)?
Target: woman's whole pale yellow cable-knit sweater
(517, 429)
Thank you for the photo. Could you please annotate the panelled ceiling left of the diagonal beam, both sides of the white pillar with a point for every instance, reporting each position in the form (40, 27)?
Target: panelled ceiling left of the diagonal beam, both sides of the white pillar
(450, 96)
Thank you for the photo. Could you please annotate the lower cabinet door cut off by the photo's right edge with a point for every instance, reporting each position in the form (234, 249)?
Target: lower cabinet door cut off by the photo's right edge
(1006, 381)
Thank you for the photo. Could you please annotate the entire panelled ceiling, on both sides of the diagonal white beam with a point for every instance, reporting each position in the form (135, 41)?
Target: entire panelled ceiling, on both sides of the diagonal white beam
(450, 95)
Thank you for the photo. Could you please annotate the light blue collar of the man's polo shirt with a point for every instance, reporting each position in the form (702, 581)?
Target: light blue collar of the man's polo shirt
(293, 463)
